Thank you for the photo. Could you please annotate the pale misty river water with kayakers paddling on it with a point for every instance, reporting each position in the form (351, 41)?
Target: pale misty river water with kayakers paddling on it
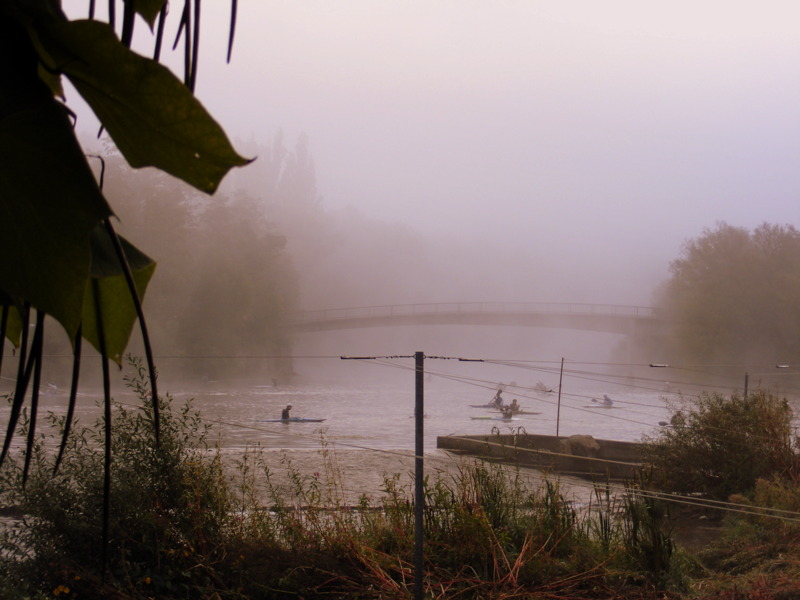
(370, 426)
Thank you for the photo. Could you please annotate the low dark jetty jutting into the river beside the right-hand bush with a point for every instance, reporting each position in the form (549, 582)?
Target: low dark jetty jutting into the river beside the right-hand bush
(578, 455)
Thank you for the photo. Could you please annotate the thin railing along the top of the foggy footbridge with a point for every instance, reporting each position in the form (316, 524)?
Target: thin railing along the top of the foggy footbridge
(449, 308)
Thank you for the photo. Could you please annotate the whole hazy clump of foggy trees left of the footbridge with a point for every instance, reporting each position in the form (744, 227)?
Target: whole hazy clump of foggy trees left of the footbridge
(224, 284)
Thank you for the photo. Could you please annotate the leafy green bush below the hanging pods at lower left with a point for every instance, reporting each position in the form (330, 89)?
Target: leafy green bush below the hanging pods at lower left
(168, 518)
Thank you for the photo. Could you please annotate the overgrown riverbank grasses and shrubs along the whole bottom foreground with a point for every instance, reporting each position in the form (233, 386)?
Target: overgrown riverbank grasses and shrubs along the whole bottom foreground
(182, 525)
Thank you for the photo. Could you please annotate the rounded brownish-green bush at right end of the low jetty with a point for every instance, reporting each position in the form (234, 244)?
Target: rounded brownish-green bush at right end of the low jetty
(719, 446)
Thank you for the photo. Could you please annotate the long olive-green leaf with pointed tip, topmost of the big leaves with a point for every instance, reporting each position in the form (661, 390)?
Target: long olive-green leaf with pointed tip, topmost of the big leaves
(153, 118)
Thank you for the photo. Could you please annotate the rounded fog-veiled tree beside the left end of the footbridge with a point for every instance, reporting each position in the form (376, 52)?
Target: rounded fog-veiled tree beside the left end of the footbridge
(243, 288)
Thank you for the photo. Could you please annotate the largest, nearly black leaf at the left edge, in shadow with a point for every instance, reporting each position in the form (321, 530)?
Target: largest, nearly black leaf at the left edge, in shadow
(49, 205)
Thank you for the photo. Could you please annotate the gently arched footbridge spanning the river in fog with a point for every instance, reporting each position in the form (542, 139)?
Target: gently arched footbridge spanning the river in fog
(627, 320)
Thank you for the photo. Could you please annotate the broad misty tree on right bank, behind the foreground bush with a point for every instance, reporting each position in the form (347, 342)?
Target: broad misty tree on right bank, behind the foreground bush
(734, 295)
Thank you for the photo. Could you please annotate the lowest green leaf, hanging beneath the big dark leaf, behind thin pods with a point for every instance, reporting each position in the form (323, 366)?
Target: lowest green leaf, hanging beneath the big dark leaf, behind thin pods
(109, 287)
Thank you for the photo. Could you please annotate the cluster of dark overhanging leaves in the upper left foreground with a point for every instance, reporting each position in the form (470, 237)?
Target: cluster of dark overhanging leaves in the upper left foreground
(54, 234)
